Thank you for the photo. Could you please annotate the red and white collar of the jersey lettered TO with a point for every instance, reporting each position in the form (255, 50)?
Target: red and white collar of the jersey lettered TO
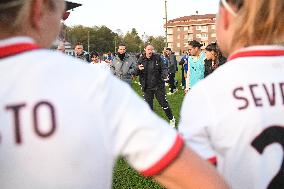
(17, 45)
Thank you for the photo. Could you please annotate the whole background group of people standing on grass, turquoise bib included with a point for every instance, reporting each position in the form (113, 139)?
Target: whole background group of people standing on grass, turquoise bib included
(155, 71)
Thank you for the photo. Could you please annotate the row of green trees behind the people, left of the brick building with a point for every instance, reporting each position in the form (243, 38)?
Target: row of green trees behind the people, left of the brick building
(102, 39)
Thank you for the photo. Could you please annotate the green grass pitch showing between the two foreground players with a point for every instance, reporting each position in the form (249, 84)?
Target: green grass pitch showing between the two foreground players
(124, 177)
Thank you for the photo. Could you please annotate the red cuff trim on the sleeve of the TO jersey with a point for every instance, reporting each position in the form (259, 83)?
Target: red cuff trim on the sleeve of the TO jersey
(169, 157)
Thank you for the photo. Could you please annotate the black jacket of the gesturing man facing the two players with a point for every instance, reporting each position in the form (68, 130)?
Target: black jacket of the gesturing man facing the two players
(154, 73)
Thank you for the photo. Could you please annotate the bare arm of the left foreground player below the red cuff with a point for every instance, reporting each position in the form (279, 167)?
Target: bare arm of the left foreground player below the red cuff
(190, 171)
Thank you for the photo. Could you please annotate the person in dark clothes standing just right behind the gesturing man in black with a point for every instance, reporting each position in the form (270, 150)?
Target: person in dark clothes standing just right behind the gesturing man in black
(172, 67)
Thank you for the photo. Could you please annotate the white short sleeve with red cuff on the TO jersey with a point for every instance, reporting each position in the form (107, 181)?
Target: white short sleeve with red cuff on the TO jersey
(136, 132)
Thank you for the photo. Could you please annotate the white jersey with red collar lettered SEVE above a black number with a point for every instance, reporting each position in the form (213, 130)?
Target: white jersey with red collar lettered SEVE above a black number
(236, 116)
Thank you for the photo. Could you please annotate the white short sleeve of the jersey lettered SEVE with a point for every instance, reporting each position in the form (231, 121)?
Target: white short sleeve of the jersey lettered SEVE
(196, 123)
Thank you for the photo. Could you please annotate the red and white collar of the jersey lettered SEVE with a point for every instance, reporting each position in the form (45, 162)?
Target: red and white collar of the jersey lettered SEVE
(258, 51)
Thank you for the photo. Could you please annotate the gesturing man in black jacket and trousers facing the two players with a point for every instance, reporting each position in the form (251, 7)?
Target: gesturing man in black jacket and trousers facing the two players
(152, 74)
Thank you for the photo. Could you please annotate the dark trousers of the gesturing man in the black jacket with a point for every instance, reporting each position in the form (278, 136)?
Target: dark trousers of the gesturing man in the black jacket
(160, 95)
